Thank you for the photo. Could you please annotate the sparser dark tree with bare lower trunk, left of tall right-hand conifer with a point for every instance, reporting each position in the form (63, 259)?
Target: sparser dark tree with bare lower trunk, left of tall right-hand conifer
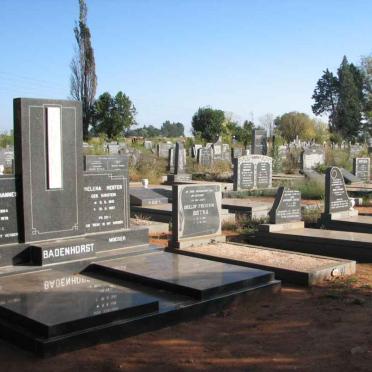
(326, 97)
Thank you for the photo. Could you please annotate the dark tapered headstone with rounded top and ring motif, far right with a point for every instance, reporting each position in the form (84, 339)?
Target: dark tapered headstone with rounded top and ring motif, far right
(336, 197)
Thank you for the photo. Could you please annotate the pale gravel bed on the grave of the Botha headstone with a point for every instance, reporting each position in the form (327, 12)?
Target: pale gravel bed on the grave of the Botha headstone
(266, 257)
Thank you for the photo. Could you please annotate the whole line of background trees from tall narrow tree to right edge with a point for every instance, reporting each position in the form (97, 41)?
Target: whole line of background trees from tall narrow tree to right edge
(345, 97)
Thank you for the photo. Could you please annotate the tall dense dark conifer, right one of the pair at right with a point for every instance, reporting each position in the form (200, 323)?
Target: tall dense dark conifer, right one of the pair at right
(350, 103)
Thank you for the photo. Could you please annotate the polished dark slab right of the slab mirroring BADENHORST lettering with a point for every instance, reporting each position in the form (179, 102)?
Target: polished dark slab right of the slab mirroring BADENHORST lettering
(194, 277)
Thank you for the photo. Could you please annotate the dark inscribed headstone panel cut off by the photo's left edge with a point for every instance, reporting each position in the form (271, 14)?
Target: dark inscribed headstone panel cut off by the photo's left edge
(8, 211)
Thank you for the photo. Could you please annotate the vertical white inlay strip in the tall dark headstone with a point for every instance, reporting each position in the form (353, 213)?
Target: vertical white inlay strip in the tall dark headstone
(54, 147)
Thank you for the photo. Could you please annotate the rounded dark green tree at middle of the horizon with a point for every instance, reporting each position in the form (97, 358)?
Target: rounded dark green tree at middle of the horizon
(208, 123)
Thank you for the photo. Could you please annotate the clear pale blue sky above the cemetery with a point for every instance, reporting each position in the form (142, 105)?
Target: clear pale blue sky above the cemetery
(248, 57)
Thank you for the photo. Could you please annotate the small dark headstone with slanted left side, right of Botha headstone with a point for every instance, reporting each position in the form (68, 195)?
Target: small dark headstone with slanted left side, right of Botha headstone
(286, 207)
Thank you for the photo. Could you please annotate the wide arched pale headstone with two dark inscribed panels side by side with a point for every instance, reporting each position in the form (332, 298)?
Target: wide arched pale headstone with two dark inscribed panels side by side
(252, 171)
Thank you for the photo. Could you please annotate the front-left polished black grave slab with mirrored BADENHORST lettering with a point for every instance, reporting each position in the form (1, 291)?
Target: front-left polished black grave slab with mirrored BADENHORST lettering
(51, 302)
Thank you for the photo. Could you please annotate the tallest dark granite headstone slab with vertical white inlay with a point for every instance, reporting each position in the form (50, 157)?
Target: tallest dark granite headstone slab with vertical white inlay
(49, 165)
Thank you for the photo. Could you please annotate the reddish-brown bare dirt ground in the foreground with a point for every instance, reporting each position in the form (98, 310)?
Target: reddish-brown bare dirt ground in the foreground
(326, 328)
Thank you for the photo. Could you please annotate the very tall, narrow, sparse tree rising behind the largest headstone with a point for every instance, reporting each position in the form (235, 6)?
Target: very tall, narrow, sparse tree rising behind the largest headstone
(83, 81)
